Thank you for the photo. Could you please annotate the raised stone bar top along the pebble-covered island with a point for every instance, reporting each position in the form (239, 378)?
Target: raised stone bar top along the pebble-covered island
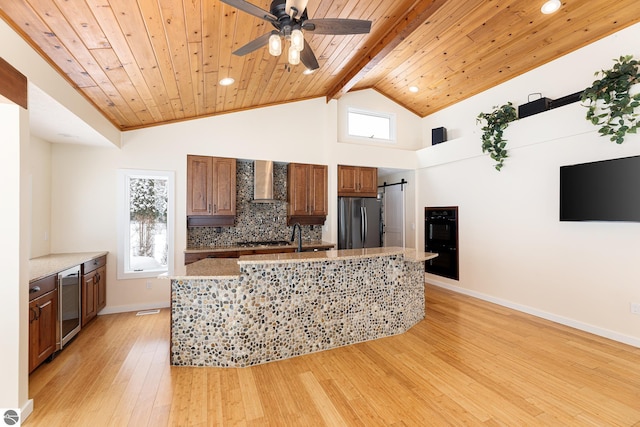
(335, 255)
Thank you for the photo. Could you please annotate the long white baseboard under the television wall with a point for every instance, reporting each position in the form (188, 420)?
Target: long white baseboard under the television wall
(542, 314)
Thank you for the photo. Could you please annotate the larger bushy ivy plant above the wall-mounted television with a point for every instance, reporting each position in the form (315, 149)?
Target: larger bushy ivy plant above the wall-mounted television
(610, 105)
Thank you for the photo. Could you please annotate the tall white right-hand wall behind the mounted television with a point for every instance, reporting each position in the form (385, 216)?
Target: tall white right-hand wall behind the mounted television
(513, 248)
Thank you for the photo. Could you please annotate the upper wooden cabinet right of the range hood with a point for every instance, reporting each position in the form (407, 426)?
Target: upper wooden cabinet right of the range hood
(307, 194)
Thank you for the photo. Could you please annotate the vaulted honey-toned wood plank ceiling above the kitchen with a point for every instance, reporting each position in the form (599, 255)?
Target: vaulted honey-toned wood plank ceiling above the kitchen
(149, 62)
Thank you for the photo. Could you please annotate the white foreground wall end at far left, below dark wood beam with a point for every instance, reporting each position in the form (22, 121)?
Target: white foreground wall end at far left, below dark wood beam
(14, 254)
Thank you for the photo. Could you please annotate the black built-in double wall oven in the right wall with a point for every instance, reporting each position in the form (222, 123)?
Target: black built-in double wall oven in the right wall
(441, 236)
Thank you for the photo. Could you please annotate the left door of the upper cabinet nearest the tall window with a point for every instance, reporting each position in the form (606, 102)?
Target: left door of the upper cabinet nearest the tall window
(199, 185)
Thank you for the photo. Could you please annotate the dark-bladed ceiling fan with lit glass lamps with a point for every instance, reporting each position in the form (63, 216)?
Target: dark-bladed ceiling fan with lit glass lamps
(289, 17)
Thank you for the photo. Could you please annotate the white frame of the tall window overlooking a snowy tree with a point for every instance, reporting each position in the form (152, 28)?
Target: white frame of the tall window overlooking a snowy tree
(124, 246)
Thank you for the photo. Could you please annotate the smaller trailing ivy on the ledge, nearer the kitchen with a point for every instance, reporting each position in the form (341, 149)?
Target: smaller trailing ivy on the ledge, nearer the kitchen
(495, 124)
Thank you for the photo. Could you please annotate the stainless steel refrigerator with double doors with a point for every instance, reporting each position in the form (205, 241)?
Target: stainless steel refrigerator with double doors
(359, 222)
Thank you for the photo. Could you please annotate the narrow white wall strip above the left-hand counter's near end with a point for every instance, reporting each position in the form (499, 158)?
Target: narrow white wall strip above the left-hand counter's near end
(40, 194)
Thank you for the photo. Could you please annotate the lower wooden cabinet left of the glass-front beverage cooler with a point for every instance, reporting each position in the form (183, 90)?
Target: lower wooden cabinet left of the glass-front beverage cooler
(43, 320)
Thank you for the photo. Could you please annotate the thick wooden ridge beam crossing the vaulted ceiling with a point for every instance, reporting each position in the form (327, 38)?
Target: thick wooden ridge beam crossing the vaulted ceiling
(418, 14)
